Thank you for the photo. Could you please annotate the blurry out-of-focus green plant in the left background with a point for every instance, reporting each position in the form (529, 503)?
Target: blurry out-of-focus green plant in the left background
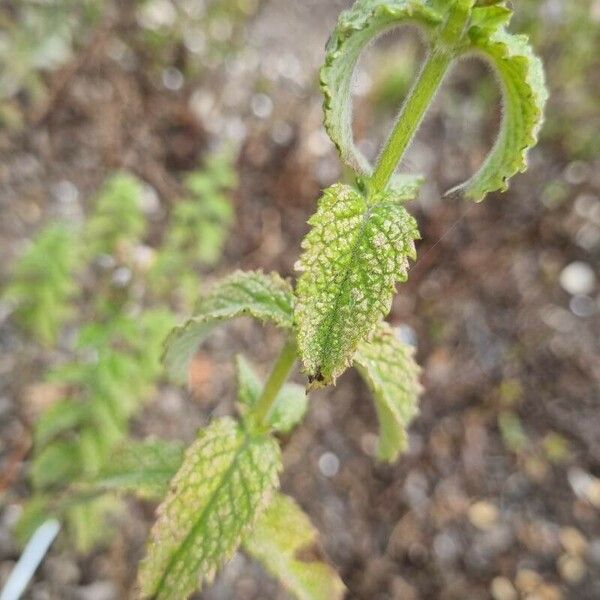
(82, 450)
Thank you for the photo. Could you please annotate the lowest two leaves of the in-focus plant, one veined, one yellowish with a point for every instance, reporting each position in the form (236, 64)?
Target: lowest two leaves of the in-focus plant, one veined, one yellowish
(223, 496)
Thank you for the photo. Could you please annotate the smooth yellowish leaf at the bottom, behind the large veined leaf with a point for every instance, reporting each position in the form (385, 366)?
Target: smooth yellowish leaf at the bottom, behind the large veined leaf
(282, 535)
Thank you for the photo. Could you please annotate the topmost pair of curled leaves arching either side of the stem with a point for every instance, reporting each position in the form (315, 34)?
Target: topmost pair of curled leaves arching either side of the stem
(519, 71)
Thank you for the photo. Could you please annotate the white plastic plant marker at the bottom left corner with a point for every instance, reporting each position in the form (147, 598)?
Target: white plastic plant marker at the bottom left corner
(32, 556)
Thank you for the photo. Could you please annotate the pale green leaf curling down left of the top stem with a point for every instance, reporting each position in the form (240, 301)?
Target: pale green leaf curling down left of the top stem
(355, 29)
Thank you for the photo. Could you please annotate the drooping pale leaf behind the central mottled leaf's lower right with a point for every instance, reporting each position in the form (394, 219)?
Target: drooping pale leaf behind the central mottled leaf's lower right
(389, 369)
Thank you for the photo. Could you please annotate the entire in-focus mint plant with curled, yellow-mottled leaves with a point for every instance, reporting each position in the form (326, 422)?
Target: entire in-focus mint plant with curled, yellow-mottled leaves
(362, 238)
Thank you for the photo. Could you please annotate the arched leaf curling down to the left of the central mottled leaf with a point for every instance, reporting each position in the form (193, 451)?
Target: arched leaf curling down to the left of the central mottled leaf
(254, 294)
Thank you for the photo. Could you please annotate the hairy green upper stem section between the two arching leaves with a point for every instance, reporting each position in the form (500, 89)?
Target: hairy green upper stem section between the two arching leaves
(421, 95)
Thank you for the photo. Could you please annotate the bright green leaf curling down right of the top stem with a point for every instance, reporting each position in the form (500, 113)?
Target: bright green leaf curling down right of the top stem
(524, 93)
